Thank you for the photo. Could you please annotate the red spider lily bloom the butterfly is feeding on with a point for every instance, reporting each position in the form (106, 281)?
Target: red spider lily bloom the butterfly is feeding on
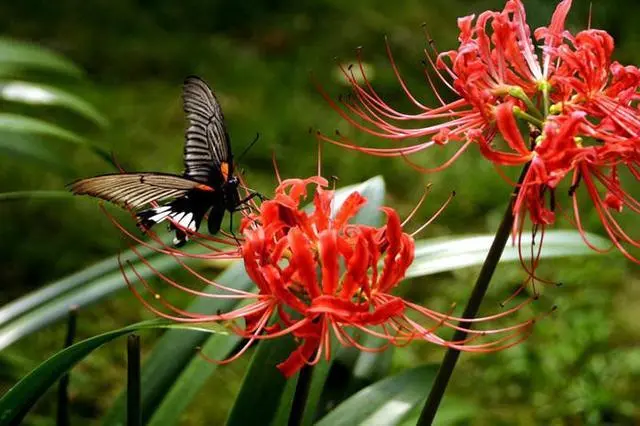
(320, 279)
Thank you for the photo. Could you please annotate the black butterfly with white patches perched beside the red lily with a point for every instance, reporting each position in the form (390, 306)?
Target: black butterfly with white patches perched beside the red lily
(207, 183)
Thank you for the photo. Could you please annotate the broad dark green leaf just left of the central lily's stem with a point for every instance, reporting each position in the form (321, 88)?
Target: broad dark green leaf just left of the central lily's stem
(263, 385)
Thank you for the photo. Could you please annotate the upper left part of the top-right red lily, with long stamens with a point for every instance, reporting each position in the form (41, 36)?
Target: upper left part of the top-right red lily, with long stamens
(495, 63)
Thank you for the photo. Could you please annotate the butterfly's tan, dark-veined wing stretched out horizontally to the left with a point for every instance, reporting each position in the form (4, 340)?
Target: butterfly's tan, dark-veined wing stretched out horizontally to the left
(134, 190)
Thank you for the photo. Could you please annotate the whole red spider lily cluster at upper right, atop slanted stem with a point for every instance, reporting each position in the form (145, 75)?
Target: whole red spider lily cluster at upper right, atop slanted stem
(580, 106)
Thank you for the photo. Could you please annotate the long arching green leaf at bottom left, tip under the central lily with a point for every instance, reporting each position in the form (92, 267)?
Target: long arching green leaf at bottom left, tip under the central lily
(21, 397)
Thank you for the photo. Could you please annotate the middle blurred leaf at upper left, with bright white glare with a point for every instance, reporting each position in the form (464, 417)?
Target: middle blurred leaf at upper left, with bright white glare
(38, 94)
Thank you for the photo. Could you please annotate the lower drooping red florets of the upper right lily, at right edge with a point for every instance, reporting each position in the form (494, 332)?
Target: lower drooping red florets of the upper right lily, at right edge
(558, 152)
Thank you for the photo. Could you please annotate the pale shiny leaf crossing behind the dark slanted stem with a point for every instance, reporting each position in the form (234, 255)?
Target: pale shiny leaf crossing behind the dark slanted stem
(448, 254)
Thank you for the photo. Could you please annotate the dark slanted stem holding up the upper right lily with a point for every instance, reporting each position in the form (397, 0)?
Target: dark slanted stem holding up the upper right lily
(477, 294)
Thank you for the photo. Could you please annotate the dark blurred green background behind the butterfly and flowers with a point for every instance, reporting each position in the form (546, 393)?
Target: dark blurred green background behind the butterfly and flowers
(581, 366)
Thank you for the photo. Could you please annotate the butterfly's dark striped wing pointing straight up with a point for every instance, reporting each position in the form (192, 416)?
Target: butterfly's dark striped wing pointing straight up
(207, 150)
